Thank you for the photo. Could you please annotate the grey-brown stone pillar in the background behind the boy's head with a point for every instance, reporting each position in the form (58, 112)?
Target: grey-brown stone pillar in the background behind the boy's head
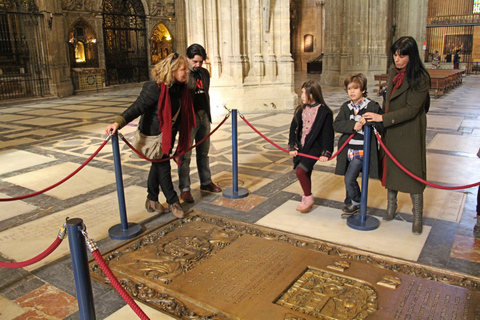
(355, 39)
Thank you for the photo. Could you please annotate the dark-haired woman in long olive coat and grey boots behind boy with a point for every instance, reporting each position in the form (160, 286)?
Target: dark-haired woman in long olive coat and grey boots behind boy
(404, 119)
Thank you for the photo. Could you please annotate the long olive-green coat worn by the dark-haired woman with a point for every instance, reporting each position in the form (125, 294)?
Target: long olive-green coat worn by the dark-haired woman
(405, 126)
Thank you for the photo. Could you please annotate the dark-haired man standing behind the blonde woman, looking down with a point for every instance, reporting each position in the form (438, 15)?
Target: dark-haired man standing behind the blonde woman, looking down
(199, 83)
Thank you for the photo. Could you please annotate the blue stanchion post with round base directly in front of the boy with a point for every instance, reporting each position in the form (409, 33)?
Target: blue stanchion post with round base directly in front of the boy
(361, 221)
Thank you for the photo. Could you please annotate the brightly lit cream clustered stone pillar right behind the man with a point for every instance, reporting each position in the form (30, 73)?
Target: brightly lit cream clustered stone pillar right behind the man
(248, 48)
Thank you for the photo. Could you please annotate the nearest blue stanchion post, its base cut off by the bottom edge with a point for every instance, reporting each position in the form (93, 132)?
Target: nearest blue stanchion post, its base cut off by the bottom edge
(83, 283)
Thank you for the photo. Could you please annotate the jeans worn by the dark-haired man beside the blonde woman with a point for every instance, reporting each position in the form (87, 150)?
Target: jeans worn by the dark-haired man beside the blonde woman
(203, 164)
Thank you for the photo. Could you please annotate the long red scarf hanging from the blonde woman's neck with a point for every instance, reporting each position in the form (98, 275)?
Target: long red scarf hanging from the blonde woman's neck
(187, 120)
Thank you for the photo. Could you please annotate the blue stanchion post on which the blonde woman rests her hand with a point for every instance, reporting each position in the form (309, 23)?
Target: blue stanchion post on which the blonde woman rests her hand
(124, 230)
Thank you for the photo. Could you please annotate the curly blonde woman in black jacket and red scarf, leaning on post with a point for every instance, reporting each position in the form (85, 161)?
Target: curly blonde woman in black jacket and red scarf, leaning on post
(165, 107)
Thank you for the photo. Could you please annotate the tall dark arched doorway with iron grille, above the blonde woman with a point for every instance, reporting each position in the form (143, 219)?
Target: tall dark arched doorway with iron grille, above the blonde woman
(124, 32)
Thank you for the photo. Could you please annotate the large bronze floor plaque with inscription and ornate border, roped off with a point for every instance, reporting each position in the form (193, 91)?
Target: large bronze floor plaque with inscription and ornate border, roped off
(209, 267)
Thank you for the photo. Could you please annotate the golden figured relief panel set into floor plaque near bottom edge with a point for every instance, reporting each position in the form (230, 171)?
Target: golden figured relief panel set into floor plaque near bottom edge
(328, 296)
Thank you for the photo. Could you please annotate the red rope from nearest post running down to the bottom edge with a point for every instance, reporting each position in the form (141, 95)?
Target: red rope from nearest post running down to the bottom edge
(113, 280)
